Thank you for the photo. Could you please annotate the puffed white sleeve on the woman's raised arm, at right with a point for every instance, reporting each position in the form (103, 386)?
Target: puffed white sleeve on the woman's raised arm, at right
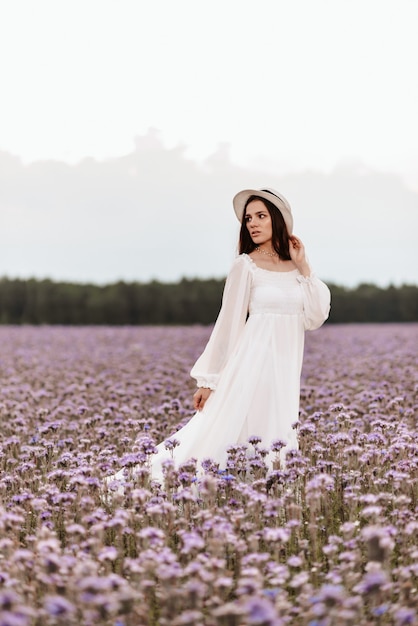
(316, 301)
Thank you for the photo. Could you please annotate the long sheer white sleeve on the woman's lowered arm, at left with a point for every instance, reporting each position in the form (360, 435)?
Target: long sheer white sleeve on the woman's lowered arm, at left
(228, 327)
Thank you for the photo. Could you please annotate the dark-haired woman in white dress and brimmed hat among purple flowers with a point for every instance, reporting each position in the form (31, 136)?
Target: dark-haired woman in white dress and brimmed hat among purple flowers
(248, 376)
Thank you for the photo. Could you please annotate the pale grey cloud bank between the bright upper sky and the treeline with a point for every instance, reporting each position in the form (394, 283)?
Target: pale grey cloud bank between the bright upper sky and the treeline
(157, 214)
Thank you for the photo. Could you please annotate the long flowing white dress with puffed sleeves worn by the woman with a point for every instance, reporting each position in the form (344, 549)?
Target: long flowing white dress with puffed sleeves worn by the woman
(253, 362)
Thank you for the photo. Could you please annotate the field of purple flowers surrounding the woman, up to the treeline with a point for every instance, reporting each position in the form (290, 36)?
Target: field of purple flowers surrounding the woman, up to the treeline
(329, 539)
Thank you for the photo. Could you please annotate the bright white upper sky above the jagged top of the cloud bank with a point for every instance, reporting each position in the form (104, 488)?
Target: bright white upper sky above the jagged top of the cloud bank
(301, 83)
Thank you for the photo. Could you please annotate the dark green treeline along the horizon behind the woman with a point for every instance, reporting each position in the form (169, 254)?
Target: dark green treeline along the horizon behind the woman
(186, 302)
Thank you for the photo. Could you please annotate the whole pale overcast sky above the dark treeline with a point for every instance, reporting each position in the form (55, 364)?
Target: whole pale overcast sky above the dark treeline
(126, 127)
